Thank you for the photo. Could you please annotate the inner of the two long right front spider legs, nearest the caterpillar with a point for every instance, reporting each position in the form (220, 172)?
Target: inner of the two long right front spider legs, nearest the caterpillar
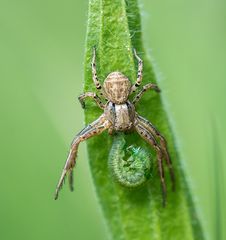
(147, 136)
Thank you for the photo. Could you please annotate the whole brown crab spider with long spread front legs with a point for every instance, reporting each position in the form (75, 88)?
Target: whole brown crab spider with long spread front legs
(119, 116)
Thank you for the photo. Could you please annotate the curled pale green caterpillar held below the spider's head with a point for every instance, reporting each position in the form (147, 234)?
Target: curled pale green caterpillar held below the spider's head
(130, 165)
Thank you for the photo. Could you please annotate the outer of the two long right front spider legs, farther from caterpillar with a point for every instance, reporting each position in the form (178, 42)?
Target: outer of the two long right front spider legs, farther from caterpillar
(148, 125)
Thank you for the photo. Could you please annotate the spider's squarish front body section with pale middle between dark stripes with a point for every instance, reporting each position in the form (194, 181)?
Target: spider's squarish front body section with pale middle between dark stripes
(120, 115)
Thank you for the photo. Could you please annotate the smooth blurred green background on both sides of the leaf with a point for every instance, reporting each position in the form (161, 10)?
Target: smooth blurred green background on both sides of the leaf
(41, 74)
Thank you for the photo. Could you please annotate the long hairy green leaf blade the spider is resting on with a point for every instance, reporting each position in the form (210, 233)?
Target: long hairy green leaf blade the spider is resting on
(114, 28)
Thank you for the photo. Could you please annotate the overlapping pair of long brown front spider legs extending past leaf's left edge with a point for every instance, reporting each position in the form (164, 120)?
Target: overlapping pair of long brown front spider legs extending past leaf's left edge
(92, 129)
